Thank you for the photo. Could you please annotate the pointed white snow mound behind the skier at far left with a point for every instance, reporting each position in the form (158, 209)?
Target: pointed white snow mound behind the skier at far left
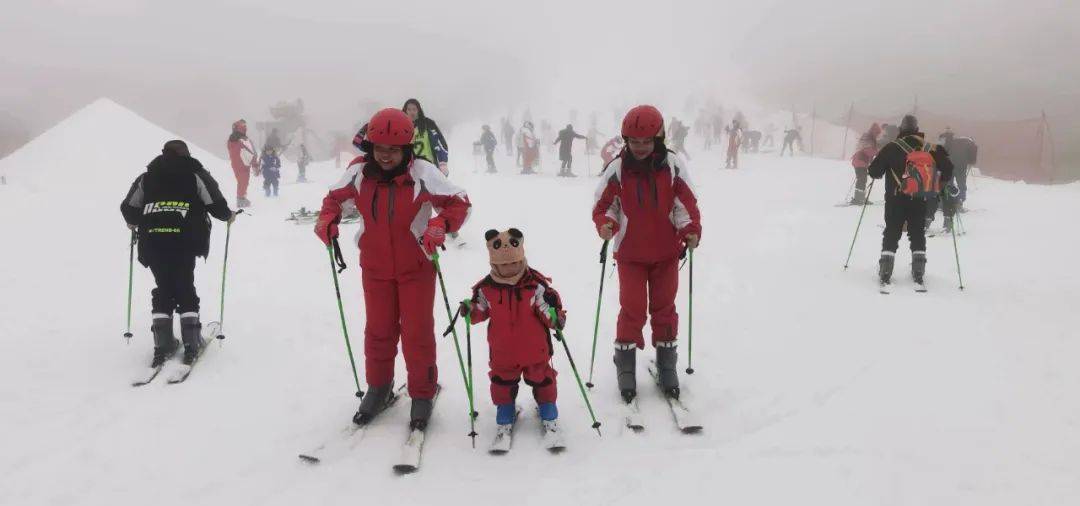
(104, 140)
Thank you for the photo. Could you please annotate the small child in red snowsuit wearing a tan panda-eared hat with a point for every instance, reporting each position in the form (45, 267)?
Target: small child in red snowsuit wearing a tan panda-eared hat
(518, 303)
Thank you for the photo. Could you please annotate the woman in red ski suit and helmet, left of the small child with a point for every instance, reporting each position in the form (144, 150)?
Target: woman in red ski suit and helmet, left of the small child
(397, 196)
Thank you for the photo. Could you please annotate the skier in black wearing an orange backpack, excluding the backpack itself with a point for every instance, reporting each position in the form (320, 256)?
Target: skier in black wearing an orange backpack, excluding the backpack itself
(901, 209)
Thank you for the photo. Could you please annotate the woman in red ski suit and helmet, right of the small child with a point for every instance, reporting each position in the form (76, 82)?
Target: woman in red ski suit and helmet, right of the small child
(646, 204)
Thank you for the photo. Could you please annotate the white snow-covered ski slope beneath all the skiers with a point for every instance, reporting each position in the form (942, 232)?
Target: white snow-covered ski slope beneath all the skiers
(814, 388)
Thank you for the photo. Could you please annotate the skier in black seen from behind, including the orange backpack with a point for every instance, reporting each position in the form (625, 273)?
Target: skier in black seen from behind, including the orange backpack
(915, 172)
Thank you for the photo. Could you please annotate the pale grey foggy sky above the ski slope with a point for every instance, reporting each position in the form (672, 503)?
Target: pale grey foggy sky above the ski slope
(196, 66)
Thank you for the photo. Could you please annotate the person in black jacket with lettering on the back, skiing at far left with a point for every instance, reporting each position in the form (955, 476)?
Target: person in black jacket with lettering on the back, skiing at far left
(168, 208)
